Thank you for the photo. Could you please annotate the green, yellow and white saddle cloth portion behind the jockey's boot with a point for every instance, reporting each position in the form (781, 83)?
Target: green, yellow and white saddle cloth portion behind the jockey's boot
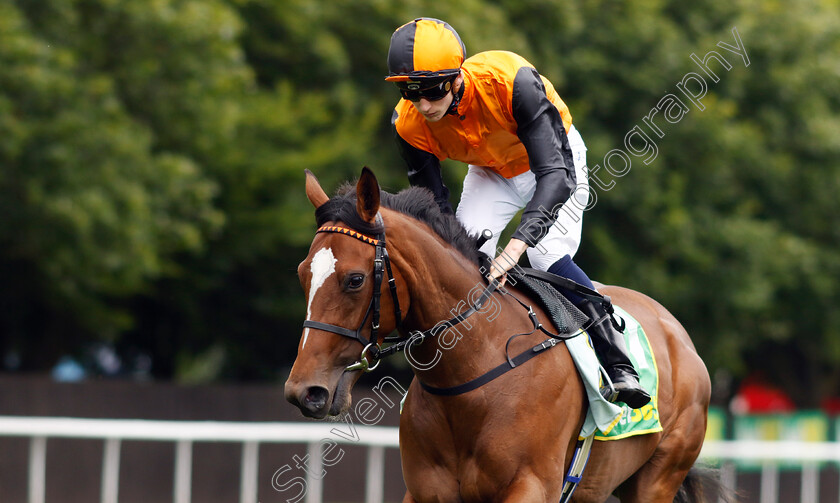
(645, 419)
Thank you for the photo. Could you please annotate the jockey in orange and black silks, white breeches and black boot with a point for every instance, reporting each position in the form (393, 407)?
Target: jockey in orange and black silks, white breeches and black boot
(494, 112)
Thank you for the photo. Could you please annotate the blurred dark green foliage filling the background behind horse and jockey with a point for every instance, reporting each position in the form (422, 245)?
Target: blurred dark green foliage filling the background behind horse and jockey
(152, 156)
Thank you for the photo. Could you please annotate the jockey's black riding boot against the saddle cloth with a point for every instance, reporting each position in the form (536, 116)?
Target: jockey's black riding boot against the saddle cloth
(610, 347)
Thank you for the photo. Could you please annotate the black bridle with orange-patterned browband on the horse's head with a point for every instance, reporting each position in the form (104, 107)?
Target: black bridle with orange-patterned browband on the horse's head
(381, 264)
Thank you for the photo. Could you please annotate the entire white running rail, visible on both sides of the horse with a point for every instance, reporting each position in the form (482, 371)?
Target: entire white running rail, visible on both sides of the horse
(184, 433)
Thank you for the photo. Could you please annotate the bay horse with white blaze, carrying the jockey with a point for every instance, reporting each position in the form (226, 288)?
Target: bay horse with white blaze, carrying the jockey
(511, 439)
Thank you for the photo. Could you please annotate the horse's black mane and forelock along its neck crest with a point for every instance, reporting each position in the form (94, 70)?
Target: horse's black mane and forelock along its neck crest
(416, 202)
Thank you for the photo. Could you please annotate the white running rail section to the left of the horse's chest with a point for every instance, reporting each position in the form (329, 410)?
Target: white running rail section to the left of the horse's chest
(183, 434)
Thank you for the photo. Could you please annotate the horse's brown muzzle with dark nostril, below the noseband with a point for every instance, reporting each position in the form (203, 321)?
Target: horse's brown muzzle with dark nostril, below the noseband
(319, 400)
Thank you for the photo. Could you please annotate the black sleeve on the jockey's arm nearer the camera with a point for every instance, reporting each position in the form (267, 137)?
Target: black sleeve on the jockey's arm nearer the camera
(541, 130)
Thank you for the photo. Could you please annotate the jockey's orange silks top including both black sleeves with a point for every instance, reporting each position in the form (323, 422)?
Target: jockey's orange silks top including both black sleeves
(510, 119)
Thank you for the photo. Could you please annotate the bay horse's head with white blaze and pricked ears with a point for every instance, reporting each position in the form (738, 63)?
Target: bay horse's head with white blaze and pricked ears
(339, 278)
